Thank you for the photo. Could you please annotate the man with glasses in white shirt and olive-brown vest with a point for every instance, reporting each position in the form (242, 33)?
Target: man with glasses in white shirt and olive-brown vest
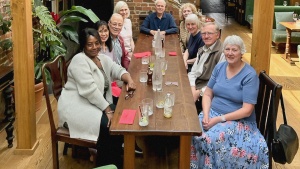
(207, 58)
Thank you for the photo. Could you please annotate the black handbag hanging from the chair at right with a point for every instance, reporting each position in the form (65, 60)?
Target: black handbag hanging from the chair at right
(285, 143)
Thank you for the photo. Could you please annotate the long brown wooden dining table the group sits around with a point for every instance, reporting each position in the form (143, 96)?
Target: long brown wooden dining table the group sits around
(184, 121)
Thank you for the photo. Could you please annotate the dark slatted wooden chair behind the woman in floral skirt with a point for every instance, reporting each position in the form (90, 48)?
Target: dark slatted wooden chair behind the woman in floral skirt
(268, 95)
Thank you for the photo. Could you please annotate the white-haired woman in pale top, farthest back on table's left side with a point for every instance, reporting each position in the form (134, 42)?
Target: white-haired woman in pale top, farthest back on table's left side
(126, 32)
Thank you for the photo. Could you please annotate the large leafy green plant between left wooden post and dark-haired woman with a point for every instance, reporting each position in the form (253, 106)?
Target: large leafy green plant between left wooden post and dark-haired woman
(50, 33)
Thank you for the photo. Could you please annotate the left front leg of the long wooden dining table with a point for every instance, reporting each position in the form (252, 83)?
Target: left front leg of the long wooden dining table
(129, 145)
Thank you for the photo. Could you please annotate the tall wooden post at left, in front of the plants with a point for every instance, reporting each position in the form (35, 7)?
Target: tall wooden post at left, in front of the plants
(24, 75)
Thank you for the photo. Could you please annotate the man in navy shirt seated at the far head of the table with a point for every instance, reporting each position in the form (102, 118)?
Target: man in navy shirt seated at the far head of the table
(159, 20)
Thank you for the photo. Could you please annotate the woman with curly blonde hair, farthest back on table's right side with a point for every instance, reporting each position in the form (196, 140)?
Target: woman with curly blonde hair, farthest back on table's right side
(184, 11)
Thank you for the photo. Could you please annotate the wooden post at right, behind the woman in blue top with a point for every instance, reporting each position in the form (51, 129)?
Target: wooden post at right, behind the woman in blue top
(261, 35)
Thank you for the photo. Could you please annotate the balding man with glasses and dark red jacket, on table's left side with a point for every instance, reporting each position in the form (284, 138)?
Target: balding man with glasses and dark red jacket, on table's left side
(120, 55)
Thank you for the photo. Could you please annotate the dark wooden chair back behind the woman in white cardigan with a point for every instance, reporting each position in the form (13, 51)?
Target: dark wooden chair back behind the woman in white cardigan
(57, 71)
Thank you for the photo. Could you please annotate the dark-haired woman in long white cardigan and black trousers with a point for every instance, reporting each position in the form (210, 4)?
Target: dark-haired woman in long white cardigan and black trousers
(86, 101)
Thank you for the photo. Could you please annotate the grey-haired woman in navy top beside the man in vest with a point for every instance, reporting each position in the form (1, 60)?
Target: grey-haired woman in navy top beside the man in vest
(193, 26)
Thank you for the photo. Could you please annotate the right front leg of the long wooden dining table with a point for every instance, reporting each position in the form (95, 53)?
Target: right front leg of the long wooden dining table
(184, 152)
